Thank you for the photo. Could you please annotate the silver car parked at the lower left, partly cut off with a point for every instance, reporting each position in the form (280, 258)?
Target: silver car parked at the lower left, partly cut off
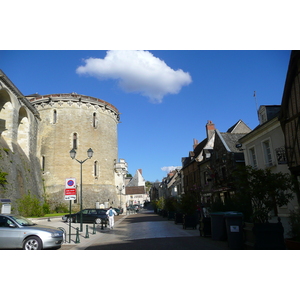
(17, 232)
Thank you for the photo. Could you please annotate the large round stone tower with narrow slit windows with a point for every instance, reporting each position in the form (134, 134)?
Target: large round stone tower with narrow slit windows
(72, 121)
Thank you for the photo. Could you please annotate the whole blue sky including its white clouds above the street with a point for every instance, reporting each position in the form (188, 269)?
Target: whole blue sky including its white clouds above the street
(165, 97)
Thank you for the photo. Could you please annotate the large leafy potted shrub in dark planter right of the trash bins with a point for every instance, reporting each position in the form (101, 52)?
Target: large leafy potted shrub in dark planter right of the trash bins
(266, 191)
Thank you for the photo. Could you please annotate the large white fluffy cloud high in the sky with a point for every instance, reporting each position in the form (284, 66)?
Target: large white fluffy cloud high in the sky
(137, 72)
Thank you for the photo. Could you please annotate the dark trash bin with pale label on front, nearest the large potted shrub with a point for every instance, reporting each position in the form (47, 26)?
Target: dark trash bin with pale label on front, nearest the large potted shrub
(234, 228)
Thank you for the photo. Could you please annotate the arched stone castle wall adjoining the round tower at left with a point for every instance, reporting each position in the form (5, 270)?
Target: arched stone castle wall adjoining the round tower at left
(18, 128)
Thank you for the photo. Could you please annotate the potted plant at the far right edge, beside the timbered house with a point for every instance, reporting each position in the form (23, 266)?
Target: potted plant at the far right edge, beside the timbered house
(293, 242)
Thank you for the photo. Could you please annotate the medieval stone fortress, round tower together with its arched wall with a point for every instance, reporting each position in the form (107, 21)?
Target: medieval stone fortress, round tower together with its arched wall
(37, 134)
